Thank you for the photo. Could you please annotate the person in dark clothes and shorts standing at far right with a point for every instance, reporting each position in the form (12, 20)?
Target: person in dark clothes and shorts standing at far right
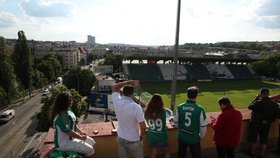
(264, 111)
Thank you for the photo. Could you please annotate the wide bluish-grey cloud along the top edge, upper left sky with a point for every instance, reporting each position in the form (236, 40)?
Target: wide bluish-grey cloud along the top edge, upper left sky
(49, 8)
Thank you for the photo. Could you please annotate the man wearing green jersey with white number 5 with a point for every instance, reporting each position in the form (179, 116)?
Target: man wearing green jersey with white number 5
(190, 118)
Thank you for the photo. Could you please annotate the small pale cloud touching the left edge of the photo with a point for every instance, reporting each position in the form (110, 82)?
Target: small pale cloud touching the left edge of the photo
(8, 20)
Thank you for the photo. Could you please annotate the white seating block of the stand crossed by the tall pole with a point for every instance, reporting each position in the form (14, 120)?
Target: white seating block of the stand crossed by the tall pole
(167, 72)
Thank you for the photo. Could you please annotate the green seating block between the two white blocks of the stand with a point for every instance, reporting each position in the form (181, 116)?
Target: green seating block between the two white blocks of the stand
(197, 71)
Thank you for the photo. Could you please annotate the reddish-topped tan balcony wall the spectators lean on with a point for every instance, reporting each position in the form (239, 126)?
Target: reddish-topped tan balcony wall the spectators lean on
(106, 144)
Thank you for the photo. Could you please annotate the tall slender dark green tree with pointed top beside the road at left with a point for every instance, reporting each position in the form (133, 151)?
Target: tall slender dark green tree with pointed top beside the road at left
(23, 62)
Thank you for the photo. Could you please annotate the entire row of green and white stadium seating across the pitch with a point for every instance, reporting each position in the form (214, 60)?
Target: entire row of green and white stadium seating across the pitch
(190, 72)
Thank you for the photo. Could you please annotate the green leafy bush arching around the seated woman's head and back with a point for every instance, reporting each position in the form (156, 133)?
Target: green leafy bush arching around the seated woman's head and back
(79, 106)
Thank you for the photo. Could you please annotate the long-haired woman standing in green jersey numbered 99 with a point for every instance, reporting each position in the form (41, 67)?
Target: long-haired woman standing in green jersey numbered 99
(155, 115)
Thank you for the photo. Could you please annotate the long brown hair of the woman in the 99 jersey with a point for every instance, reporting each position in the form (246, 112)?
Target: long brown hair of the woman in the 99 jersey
(155, 107)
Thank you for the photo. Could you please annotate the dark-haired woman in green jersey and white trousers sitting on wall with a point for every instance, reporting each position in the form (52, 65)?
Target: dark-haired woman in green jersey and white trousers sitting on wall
(67, 136)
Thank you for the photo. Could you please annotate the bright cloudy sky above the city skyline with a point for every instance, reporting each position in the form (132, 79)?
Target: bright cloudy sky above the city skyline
(141, 22)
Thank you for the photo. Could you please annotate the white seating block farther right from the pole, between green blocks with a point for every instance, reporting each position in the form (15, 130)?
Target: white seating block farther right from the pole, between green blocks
(219, 71)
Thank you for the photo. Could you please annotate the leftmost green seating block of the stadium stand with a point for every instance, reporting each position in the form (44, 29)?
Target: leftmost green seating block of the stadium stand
(144, 72)
